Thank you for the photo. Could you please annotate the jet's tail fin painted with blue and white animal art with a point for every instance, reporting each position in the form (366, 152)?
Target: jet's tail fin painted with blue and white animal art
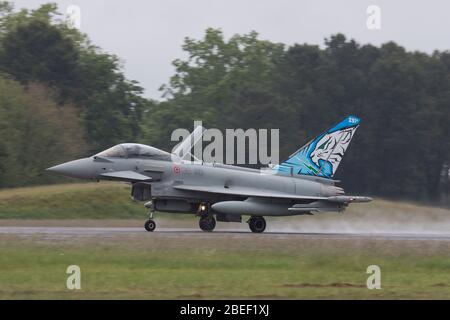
(322, 155)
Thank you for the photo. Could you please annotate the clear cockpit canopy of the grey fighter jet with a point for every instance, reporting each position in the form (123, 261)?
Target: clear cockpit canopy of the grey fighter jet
(134, 150)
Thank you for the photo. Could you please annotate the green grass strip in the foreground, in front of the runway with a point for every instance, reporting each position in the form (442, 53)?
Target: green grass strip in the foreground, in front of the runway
(143, 269)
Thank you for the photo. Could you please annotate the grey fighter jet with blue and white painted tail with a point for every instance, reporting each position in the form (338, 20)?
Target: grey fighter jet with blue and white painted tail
(302, 184)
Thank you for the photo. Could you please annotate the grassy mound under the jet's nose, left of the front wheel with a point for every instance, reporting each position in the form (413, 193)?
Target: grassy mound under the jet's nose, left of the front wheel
(70, 201)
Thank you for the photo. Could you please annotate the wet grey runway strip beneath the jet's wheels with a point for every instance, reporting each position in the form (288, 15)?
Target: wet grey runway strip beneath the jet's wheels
(65, 232)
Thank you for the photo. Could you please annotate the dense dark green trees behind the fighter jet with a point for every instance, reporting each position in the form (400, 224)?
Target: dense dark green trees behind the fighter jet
(61, 97)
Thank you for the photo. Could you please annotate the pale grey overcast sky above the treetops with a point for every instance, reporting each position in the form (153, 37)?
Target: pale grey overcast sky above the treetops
(147, 34)
